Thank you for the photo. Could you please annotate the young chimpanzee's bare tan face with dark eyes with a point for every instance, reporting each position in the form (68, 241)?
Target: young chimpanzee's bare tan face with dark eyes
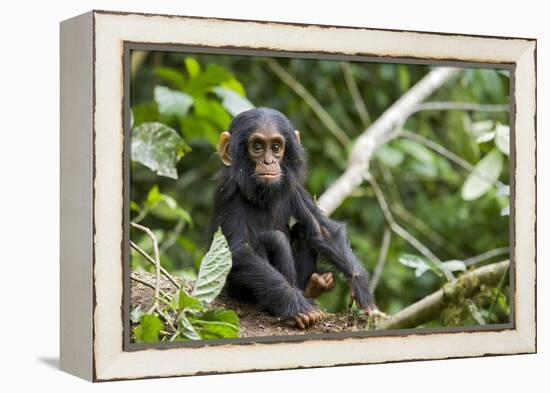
(266, 150)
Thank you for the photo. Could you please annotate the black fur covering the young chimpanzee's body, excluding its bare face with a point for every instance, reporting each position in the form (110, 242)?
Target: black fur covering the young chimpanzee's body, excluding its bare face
(271, 262)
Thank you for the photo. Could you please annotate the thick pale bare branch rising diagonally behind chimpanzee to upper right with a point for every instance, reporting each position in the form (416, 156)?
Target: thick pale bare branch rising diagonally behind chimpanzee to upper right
(377, 134)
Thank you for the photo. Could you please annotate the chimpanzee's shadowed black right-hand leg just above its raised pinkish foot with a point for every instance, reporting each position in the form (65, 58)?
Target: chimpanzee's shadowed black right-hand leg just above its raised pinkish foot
(304, 256)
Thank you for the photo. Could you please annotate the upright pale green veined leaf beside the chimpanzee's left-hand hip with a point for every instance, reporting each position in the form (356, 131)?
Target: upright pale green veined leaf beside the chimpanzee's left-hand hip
(215, 267)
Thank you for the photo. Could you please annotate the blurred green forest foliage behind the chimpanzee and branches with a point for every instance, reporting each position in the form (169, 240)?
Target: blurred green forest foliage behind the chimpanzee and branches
(181, 102)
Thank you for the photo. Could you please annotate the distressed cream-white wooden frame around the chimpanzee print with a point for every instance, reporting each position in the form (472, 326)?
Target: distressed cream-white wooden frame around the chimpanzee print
(97, 39)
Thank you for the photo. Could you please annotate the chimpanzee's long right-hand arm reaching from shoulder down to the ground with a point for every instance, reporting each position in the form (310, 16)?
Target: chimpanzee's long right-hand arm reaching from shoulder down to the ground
(328, 238)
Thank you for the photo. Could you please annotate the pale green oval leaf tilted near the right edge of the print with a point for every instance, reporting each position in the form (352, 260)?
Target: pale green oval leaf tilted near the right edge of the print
(485, 173)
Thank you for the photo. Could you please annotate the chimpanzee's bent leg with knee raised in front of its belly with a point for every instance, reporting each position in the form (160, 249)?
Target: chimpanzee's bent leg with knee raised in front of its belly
(279, 253)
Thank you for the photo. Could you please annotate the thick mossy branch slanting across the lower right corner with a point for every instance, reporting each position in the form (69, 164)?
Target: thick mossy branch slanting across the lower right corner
(431, 306)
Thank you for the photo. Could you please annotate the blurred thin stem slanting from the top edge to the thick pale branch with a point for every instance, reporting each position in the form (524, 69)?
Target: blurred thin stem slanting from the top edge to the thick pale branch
(308, 98)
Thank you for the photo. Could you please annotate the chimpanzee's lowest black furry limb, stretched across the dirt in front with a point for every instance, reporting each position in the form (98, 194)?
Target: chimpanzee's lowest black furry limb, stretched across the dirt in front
(268, 286)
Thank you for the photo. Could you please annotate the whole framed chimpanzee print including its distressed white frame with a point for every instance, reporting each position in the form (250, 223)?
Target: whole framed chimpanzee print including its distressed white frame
(244, 195)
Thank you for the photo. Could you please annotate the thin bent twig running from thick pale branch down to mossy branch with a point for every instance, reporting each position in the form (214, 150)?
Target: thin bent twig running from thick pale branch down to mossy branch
(402, 232)
